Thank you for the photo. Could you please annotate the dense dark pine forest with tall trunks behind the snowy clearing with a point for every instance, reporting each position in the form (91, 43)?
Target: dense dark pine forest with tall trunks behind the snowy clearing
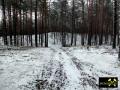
(95, 21)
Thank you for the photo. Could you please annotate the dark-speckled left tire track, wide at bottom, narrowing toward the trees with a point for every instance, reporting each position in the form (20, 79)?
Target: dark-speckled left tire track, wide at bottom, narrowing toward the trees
(53, 75)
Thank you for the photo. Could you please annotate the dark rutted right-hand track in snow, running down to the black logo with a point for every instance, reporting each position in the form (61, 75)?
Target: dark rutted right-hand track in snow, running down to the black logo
(90, 79)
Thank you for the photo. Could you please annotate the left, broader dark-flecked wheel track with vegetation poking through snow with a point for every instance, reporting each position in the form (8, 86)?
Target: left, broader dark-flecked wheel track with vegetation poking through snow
(51, 77)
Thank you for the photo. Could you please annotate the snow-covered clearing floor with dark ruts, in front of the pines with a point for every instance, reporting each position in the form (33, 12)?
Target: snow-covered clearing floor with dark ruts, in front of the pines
(57, 68)
